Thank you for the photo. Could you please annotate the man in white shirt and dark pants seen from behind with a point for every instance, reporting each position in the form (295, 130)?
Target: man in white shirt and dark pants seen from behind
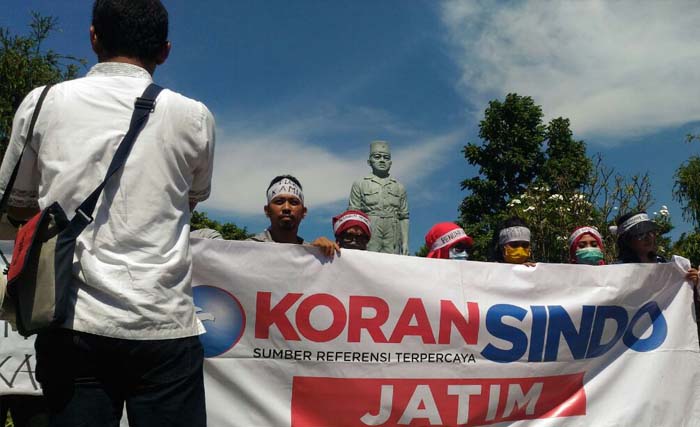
(132, 333)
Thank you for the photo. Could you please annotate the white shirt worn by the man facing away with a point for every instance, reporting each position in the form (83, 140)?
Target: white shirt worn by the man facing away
(132, 264)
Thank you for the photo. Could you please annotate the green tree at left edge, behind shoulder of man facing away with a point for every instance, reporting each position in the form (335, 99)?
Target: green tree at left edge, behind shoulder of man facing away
(24, 66)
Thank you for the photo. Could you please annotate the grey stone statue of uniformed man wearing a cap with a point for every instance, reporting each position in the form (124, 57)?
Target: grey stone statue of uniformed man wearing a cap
(383, 199)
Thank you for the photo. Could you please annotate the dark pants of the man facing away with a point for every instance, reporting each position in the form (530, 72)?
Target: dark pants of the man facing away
(87, 379)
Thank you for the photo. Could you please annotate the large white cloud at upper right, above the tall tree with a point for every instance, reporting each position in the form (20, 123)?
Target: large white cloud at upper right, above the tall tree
(619, 68)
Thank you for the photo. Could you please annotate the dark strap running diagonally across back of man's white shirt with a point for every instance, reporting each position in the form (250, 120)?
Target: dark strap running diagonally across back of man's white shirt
(144, 105)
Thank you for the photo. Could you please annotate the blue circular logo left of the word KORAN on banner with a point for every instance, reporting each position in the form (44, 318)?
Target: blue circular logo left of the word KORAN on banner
(222, 316)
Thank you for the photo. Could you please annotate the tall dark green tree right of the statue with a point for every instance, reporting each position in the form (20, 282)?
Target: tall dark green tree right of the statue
(518, 152)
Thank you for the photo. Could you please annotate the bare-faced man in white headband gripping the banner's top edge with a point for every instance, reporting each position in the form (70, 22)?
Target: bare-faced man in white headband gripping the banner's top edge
(285, 208)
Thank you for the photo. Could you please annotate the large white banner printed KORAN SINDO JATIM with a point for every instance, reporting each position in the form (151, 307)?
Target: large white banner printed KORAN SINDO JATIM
(369, 339)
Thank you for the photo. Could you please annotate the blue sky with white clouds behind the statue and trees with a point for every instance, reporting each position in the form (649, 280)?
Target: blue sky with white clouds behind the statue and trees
(302, 87)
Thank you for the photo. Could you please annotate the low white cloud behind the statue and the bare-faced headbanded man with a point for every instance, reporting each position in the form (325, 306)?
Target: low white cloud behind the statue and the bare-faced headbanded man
(247, 159)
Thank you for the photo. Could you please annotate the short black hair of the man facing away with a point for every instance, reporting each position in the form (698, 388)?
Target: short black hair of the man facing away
(132, 28)
